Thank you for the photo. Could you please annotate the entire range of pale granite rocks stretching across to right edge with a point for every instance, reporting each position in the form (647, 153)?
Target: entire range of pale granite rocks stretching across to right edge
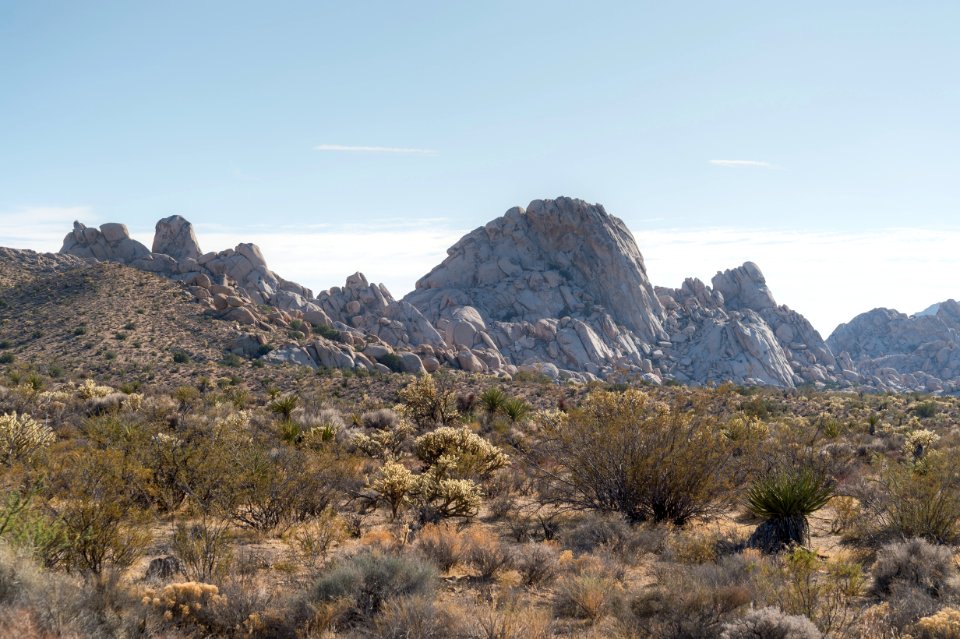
(558, 289)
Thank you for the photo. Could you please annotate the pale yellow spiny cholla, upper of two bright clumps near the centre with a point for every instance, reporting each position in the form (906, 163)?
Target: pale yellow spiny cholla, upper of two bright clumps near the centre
(467, 454)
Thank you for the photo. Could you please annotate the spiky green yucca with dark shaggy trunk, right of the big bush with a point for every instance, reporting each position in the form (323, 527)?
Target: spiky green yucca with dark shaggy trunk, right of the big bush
(785, 498)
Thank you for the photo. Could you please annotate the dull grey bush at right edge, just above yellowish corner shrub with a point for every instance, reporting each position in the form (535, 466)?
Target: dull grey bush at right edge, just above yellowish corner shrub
(914, 563)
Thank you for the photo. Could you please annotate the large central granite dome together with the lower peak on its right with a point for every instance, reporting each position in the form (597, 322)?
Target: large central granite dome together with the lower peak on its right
(563, 284)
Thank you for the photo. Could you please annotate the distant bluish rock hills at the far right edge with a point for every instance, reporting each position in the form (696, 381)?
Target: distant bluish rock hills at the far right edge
(894, 351)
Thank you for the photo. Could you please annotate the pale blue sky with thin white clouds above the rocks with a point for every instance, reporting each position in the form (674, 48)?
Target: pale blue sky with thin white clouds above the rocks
(818, 139)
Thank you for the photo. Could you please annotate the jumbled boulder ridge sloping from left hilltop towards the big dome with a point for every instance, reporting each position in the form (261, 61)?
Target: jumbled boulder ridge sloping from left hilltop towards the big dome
(236, 285)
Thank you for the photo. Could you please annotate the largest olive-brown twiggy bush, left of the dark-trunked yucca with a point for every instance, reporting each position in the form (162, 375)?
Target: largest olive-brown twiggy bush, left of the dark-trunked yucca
(622, 453)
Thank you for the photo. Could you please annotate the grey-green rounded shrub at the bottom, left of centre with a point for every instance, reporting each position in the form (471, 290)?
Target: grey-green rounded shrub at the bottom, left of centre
(366, 581)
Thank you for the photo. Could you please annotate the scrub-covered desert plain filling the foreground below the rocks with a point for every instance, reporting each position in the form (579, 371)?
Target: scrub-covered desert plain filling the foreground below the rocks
(276, 502)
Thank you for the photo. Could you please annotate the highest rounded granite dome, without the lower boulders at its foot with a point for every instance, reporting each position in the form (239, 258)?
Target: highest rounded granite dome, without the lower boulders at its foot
(553, 259)
